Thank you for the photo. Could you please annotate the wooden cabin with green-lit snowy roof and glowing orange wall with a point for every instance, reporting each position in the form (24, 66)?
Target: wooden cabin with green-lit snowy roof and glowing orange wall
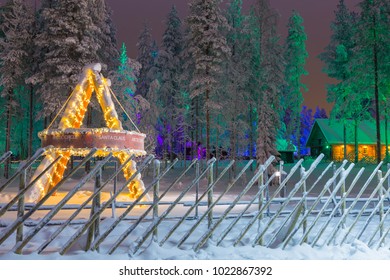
(327, 137)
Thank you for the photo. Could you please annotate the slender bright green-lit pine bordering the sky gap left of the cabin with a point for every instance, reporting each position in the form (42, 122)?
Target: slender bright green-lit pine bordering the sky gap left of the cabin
(295, 57)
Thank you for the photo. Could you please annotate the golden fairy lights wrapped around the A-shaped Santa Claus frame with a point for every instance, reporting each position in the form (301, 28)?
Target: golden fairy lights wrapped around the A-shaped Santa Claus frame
(70, 124)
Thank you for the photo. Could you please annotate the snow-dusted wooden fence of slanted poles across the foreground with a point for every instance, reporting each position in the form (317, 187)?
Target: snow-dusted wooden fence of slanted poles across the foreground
(207, 209)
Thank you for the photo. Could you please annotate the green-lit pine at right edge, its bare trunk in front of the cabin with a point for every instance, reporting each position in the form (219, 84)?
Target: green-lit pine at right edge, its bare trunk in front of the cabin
(369, 63)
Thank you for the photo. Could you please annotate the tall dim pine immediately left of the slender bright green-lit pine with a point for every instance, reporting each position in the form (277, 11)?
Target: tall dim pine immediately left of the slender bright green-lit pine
(270, 82)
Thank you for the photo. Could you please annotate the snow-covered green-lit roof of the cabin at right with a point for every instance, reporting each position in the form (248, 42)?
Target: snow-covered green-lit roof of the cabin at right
(333, 132)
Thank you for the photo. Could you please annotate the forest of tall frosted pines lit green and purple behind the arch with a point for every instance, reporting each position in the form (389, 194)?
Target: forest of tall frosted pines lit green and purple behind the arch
(221, 82)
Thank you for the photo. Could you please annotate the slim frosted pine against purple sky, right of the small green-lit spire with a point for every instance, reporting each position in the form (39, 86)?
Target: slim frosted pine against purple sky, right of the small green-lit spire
(145, 58)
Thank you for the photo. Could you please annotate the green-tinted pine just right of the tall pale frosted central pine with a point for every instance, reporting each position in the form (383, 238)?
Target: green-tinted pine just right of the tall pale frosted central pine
(235, 82)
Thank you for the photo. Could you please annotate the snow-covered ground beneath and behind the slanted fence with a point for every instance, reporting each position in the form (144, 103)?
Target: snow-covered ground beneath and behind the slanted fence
(353, 250)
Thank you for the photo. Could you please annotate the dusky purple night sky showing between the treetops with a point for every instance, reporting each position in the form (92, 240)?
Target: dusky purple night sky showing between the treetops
(129, 16)
